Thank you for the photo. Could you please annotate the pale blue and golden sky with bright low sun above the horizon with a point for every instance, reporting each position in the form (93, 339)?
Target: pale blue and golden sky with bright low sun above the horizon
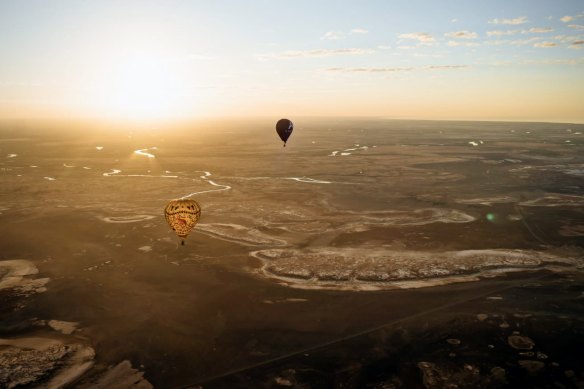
(179, 59)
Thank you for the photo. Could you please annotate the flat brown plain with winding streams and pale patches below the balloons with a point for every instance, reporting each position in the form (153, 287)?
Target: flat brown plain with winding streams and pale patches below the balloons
(366, 254)
